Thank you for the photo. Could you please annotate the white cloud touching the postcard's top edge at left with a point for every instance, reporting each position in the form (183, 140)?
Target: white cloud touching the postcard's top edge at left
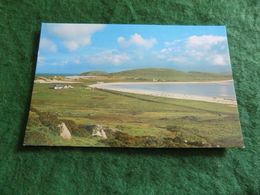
(75, 35)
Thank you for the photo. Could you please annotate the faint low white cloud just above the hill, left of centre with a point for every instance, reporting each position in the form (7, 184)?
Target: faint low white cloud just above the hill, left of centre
(108, 57)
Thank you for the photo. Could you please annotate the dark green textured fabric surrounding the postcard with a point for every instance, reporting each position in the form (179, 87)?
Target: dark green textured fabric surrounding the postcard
(60, 170)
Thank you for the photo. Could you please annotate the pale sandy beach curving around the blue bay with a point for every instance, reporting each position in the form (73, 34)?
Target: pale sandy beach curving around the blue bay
(166, 94)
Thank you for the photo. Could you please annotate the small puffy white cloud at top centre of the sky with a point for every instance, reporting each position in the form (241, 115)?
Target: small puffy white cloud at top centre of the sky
(137, 40)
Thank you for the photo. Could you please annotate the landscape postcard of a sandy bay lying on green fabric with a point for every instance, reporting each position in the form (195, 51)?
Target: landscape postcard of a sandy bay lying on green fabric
(141, 86)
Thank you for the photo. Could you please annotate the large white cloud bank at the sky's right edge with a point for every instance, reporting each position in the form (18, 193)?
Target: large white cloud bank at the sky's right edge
(197, 50)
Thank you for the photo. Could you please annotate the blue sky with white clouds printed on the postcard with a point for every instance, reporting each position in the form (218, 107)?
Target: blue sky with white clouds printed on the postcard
(76, 48)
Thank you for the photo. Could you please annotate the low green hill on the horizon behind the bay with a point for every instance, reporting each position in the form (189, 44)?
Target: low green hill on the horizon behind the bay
(161, 74)
